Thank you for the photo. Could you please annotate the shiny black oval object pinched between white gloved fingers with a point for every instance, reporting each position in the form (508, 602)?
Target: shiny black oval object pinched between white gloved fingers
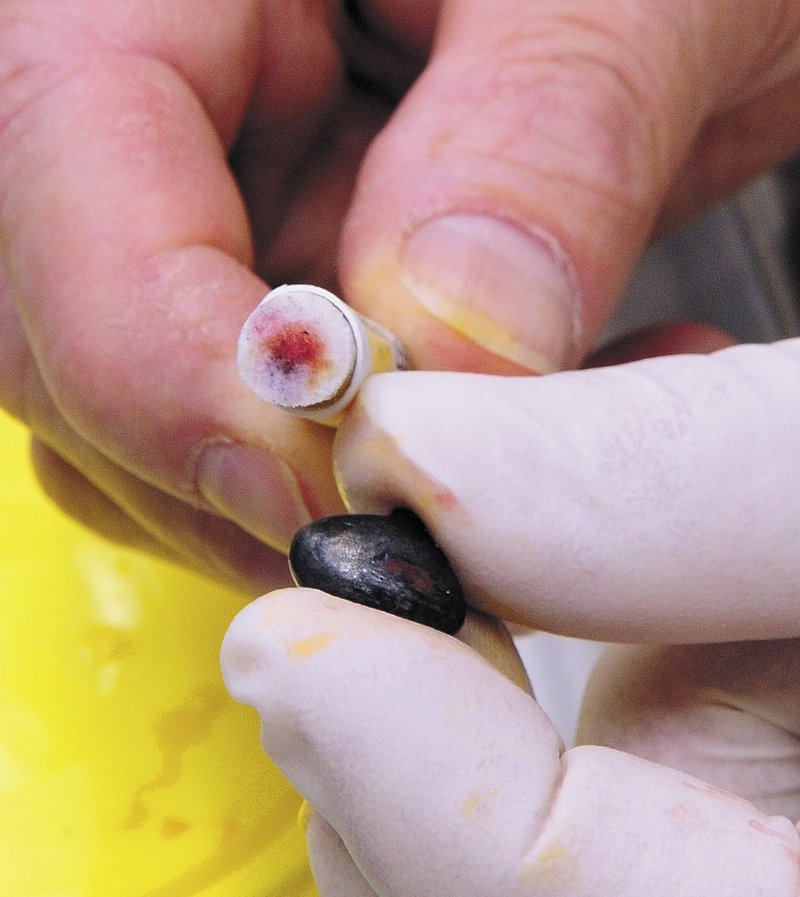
(387, 562)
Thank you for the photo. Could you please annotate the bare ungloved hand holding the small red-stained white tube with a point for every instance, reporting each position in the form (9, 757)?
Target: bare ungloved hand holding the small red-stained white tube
(161, 163)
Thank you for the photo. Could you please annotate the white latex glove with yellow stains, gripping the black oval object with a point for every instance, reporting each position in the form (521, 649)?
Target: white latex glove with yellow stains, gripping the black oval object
(653, 502)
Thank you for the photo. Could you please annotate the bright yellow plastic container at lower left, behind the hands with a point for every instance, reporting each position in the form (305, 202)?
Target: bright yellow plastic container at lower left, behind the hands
(125, 768)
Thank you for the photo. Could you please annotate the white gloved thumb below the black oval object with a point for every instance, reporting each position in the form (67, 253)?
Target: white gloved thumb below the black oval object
(435, 775)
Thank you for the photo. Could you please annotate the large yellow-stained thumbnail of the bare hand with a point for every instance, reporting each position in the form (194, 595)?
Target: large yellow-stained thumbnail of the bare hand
(509, 291)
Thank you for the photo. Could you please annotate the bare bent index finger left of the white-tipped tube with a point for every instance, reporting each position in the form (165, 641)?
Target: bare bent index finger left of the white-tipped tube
(128, 250)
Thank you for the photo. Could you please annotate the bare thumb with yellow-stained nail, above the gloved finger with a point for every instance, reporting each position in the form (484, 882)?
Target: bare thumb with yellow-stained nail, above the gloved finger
(502, 210)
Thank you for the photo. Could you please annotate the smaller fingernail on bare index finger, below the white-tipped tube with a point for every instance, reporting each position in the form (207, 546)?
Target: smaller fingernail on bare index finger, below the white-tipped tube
(254, 488)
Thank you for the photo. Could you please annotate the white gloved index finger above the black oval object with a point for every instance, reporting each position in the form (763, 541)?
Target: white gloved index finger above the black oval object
(654, 501)
